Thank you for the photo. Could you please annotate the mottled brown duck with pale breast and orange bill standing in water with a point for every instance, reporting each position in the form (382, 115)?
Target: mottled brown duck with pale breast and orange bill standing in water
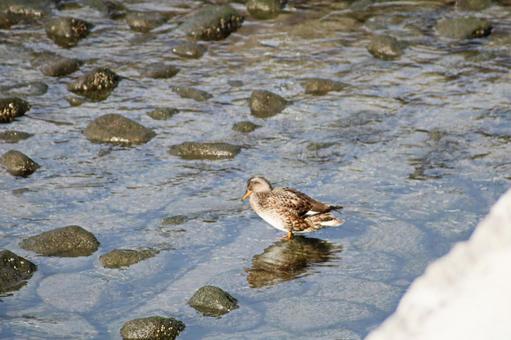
(287, 209)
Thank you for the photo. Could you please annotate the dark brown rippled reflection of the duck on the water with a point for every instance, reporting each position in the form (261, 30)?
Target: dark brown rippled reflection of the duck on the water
(288, 259)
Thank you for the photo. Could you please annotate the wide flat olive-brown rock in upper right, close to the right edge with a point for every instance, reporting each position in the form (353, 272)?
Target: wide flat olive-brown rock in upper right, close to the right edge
(464, 28)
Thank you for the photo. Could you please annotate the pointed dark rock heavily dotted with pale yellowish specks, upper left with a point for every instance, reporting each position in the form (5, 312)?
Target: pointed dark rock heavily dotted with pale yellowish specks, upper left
(95, 85)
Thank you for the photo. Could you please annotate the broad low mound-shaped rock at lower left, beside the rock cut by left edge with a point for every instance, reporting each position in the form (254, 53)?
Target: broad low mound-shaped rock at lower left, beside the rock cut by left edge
(70, 241)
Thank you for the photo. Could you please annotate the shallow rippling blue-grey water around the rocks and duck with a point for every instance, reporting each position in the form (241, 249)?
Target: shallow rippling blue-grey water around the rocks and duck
(416, 150)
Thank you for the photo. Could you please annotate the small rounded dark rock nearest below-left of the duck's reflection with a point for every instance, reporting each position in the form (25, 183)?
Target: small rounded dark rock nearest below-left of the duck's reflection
(213, 301)
